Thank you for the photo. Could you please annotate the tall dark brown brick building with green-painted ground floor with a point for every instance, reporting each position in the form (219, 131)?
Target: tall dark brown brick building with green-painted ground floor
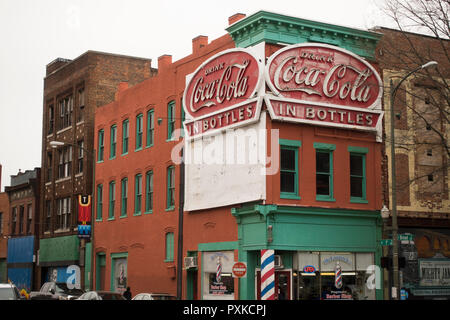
(73, 89)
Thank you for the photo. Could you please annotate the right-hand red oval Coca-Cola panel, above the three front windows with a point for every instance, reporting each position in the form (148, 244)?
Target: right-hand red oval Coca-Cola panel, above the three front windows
(323, 74)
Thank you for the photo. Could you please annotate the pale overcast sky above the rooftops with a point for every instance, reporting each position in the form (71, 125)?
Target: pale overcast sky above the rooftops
(34, 33)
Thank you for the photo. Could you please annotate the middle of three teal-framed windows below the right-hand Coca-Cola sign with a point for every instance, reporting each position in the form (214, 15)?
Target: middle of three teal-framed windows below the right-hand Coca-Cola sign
(324, 171)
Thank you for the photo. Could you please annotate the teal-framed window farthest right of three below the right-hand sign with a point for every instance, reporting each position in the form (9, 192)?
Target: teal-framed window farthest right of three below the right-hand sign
(358, 182)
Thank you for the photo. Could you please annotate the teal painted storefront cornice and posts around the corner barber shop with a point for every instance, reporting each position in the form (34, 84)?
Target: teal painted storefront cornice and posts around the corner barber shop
(293, 229)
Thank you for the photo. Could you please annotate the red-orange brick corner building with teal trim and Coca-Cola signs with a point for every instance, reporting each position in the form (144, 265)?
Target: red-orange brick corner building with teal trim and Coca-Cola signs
(316, 204)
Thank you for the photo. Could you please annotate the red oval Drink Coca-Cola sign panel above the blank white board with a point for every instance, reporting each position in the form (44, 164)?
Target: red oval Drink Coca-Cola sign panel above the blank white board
(224, 80)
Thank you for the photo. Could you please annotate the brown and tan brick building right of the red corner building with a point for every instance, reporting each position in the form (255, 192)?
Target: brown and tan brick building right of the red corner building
(421, 133)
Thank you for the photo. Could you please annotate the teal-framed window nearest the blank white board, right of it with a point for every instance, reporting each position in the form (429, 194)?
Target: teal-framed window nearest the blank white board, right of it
(289, 188)
